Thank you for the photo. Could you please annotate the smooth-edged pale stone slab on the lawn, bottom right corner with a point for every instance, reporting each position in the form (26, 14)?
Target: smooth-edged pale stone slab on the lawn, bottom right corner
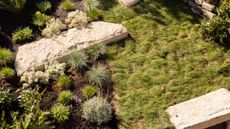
(201, 112)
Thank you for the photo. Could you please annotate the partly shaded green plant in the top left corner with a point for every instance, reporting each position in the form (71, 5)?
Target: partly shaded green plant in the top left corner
(14, 6)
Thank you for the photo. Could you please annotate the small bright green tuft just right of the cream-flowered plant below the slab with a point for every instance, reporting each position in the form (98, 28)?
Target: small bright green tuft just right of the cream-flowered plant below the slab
(64, 82)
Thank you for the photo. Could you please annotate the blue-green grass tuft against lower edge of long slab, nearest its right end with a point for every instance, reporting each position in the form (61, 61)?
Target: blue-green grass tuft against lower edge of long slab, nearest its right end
(96, 51)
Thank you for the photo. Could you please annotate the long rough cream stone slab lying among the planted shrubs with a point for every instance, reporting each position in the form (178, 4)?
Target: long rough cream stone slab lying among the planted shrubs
(34, 55)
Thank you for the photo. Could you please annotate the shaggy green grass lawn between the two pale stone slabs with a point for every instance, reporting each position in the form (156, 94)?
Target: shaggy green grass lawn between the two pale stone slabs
(164, 63)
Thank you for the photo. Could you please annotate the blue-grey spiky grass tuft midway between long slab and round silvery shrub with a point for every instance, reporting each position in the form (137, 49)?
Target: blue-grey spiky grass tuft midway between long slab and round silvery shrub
(99, 75)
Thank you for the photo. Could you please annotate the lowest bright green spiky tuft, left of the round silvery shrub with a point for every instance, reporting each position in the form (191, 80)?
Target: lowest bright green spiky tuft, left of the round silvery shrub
(60, 112)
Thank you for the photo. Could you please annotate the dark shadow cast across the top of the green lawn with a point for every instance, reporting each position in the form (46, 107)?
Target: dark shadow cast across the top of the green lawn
(175, 8)
